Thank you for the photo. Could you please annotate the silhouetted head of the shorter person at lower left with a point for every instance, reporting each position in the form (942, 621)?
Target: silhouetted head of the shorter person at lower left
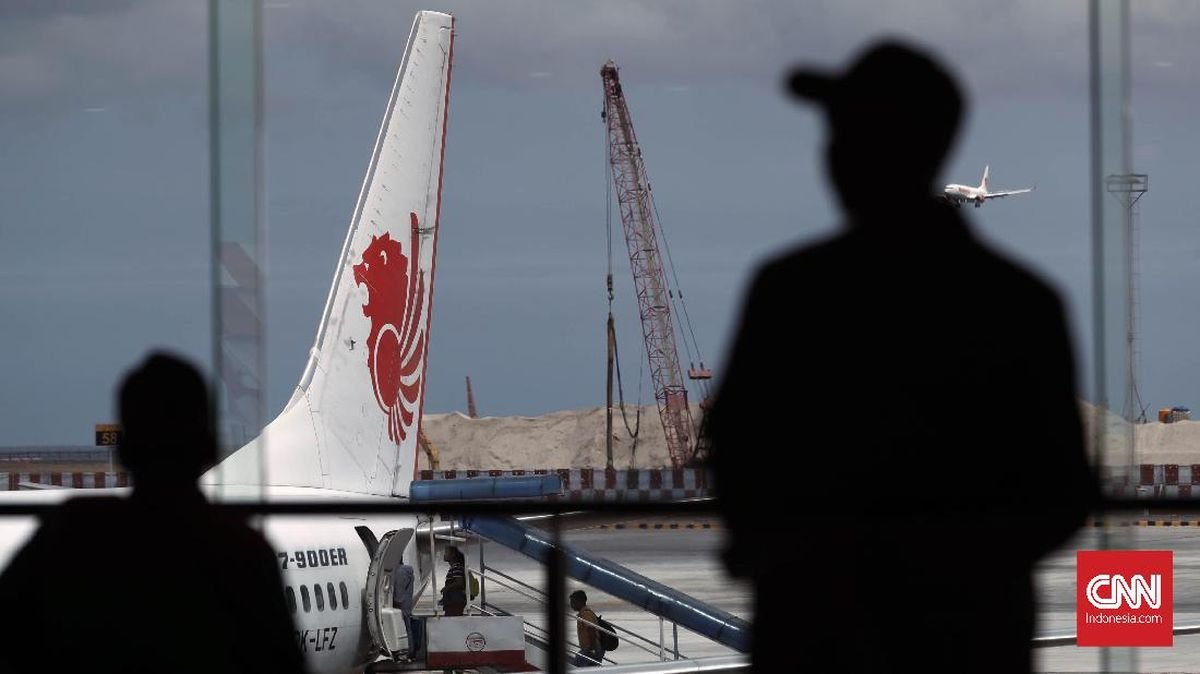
(166, 423)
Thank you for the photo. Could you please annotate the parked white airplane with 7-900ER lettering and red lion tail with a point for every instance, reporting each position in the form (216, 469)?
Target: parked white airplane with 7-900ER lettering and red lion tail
(351, 429)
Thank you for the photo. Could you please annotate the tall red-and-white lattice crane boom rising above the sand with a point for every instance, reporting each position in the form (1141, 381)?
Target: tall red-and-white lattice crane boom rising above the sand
(641, 225)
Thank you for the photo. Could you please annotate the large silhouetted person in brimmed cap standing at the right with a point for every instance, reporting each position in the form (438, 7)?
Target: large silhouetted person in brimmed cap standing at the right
(897, 440)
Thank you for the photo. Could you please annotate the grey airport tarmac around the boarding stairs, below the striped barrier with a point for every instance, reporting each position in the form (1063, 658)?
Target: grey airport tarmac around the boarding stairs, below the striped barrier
(686, 558)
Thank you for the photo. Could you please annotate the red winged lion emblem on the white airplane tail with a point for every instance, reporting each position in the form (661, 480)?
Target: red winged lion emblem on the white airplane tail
(397, 346)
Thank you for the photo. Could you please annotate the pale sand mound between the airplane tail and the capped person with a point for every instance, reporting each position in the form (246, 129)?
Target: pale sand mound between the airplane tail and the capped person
(562, 440)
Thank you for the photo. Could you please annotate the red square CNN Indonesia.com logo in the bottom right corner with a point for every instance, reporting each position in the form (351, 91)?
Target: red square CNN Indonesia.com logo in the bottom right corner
(1124, 598)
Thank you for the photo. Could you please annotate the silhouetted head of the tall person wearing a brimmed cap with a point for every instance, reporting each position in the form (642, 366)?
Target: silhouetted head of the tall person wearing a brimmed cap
(893, 116)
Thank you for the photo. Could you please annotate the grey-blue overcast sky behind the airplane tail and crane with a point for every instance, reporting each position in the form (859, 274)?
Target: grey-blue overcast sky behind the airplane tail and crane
(104, 179)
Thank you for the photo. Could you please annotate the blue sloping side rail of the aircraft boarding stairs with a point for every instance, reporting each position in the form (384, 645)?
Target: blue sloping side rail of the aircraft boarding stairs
(617, 581)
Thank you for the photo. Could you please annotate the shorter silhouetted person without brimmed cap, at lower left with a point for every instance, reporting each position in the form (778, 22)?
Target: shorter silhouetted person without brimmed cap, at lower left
(161, 581)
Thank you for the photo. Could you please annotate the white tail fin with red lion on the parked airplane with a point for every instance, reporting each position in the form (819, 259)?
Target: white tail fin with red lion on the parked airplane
(352, 423)
